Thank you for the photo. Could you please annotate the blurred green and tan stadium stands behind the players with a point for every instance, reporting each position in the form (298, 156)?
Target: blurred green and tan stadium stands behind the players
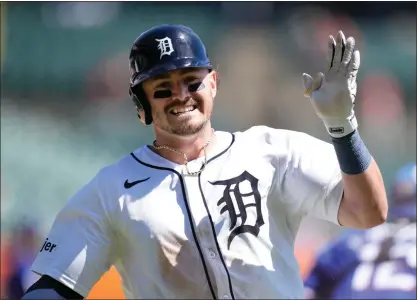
(65, 110)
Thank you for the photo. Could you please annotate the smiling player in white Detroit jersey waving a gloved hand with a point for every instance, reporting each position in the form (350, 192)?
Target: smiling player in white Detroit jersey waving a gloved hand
(203, 213)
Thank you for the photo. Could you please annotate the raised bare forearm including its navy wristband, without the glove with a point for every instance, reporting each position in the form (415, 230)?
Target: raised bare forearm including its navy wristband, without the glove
(364, 203)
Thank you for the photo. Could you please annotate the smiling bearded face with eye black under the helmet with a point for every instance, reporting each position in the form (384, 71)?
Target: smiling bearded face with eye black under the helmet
(181, 100)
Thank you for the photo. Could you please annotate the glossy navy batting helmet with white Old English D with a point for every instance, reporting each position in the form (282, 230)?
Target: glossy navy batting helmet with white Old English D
(158, 50)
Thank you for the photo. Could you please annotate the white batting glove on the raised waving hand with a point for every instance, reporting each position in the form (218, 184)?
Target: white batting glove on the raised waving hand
(333, 94)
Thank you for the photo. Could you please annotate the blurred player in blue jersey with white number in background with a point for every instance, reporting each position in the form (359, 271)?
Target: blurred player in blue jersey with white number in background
(380, 263)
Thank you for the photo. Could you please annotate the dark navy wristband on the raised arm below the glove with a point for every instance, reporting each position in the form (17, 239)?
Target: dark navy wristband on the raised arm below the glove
(352, 154)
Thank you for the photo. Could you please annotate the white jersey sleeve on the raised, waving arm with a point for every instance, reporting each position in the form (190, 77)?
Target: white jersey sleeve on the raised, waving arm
(310, 177)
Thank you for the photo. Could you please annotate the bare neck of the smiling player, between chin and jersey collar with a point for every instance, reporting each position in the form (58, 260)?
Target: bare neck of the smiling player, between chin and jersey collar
(192, 146)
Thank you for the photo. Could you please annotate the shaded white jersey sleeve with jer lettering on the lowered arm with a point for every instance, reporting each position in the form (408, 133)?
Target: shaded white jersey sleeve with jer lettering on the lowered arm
(77, 250)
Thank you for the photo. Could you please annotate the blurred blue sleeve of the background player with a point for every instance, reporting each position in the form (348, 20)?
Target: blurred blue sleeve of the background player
(330, 265)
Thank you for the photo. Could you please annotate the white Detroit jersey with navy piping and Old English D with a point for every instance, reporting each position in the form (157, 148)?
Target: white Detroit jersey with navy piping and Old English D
(227, 233)
